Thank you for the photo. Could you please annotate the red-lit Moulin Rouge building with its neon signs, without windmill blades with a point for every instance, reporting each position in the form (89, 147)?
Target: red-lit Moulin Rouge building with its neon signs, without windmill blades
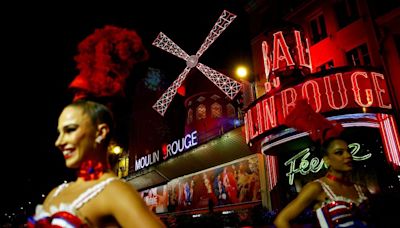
(239, 161)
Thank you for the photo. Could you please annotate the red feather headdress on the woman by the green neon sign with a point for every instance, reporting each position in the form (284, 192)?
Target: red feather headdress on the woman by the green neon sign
(304, 118)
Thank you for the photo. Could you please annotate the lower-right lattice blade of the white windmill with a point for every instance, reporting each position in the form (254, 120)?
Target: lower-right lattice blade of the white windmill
(229, 86)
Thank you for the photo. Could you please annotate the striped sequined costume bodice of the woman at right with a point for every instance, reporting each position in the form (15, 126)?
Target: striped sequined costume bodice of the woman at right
(339, 211)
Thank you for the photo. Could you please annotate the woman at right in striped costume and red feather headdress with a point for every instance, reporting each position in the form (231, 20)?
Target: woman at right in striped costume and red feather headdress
(336, 201)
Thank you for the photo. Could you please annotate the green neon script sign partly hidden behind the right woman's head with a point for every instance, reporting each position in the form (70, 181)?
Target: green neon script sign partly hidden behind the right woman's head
(301, 163)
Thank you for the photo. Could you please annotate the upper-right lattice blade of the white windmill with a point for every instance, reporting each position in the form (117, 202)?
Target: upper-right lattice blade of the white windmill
(222, 23)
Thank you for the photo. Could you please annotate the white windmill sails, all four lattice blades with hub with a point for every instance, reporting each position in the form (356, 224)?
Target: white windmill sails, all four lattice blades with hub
(227, 85)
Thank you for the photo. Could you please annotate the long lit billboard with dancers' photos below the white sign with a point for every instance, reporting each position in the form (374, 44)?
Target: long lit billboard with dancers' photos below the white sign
(232, 183)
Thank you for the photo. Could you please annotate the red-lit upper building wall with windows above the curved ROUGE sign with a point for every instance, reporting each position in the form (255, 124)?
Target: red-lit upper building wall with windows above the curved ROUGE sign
(340, 34)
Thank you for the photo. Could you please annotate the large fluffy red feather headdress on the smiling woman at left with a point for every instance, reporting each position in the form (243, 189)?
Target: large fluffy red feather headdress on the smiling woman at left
(105, 60)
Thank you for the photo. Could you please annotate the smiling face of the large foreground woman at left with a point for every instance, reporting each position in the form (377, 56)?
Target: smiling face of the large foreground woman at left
(77, 135)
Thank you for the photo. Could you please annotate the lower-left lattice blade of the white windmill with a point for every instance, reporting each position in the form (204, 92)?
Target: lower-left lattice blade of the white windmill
(164, 101)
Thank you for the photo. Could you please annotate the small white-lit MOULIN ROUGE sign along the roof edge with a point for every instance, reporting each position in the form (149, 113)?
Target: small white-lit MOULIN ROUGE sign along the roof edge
(168, 151)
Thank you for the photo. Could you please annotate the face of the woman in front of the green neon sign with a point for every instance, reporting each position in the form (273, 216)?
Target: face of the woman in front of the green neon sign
(338, 156)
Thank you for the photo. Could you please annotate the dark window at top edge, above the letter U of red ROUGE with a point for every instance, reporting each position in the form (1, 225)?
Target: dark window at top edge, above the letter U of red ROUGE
(346, 12)
